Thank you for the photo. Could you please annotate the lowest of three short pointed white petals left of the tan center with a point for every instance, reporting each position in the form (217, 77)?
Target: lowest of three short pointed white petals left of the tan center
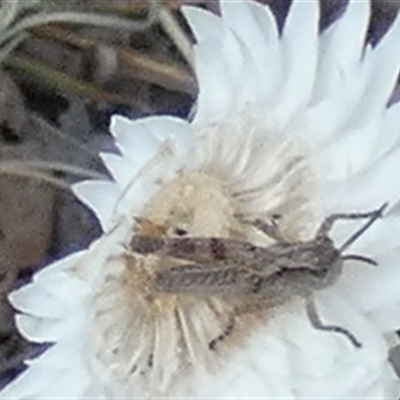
(101, 197)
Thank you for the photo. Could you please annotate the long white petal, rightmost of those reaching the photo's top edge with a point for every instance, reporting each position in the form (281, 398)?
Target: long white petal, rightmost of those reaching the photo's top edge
(341, 78)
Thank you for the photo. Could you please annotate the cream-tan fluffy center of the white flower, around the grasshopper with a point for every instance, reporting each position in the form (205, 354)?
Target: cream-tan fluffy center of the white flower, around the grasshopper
(156, 338)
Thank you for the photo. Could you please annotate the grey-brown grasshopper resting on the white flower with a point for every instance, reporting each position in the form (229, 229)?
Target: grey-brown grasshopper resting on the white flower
(275, 274)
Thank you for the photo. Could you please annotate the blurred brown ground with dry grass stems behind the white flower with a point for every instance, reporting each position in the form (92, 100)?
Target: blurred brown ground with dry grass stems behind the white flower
(65, 68)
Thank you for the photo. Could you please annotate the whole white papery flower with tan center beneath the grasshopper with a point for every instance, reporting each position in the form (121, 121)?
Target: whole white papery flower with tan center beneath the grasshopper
(295, 124)
